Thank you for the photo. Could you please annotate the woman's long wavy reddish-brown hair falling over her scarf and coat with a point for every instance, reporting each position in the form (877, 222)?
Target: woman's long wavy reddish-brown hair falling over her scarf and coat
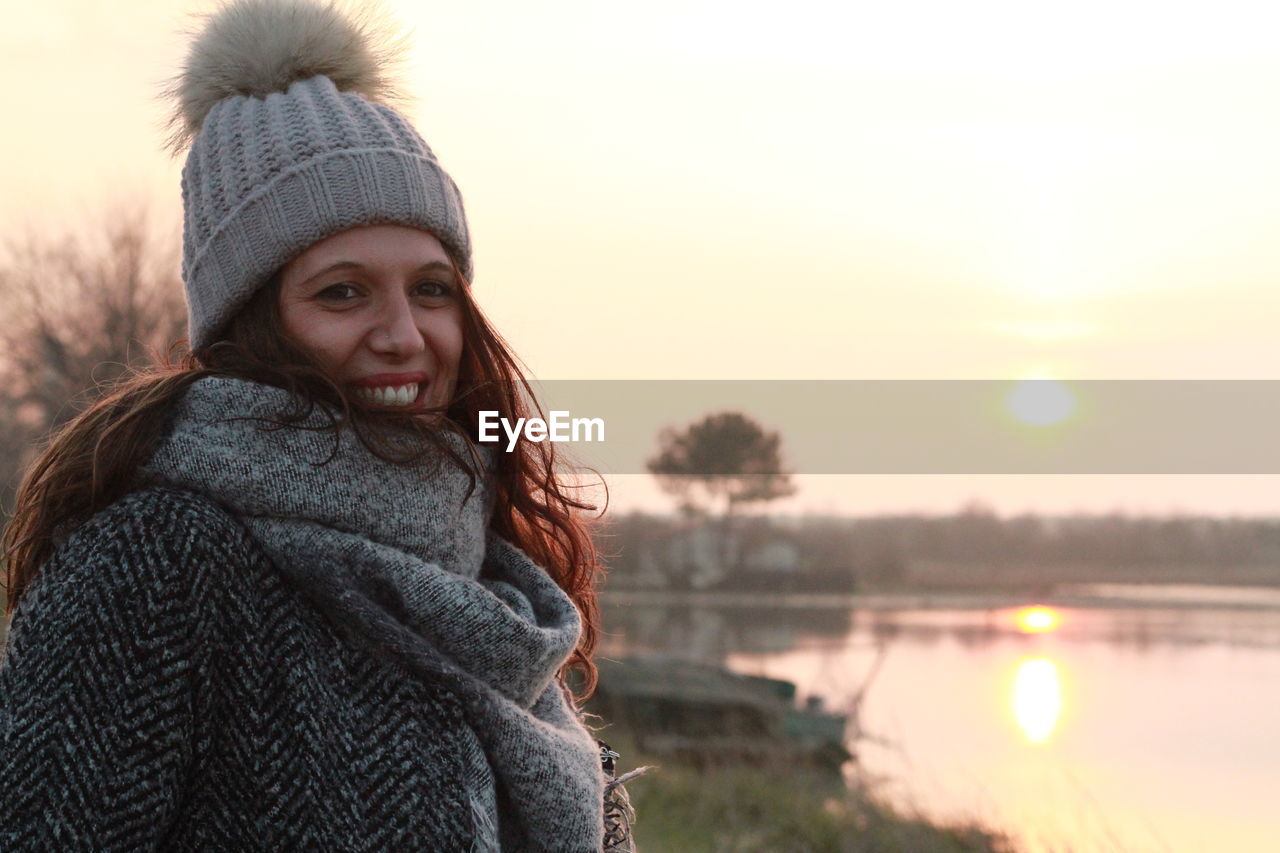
(93, 460)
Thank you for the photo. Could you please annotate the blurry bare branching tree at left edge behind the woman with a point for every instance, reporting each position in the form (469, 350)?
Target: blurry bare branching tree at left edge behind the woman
(81, 309)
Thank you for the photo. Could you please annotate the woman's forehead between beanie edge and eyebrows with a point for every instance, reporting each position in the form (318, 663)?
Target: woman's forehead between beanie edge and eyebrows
(385, 247)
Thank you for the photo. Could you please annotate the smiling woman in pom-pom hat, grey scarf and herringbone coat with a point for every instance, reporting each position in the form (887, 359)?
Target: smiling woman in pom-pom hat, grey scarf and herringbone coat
(276, 597)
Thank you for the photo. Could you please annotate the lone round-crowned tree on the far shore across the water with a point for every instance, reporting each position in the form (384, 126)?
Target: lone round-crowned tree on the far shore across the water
(719, 464)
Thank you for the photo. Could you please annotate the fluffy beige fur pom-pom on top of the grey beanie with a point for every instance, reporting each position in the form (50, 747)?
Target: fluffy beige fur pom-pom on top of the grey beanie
(262, 47)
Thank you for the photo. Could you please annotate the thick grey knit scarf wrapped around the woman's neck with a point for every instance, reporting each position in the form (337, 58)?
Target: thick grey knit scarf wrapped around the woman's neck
(458, 601)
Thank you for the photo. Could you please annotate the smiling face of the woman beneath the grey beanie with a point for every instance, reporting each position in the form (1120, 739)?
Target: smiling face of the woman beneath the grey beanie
(378, 308)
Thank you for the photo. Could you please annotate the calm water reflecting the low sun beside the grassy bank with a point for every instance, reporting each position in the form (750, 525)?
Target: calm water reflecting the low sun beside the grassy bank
(1124, 728)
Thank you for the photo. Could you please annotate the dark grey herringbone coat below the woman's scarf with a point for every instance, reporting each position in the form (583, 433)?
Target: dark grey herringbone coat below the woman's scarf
(166, 690)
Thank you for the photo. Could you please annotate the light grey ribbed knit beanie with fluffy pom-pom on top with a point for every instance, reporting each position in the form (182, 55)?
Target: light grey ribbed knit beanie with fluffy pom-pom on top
(286, 108)
